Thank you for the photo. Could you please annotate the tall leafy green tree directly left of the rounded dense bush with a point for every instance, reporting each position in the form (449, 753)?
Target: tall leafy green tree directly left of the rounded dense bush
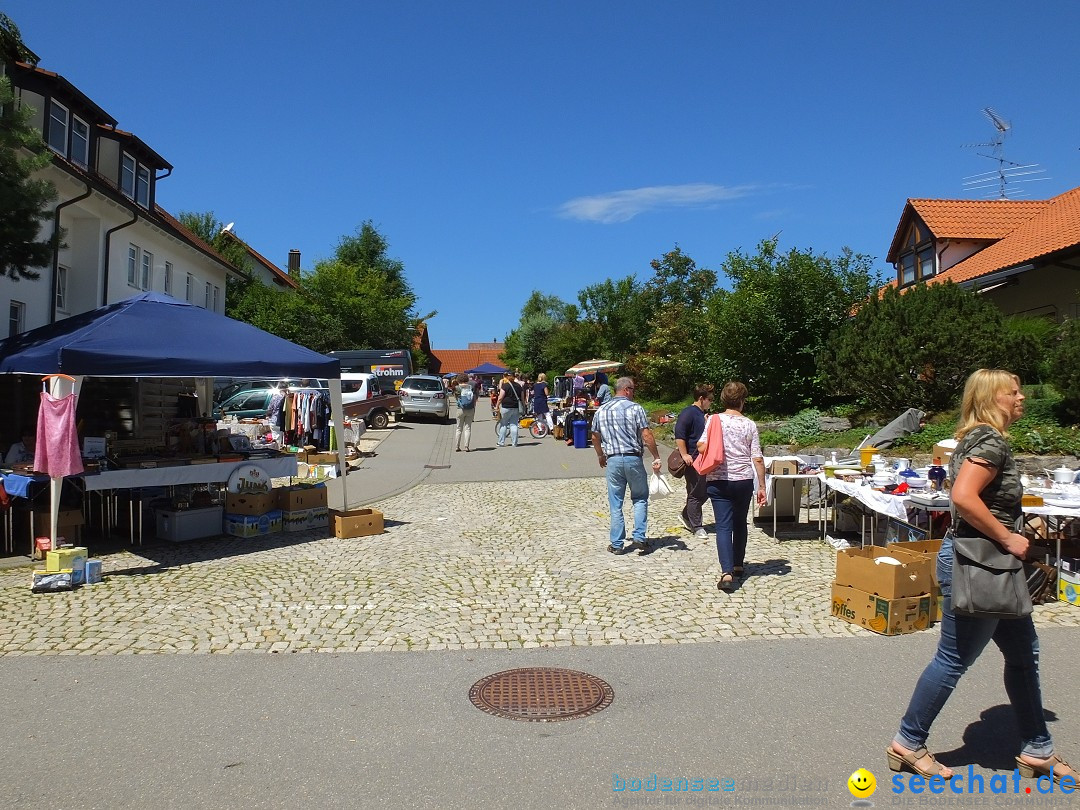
(769, 330)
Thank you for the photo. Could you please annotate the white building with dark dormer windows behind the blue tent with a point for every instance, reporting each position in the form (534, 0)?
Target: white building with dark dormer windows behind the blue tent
(118, 241)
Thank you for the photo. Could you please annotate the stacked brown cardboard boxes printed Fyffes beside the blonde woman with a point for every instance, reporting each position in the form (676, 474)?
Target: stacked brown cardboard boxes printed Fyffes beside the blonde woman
(883, 597)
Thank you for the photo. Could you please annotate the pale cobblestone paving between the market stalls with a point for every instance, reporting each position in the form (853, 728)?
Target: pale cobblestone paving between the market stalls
(462, 566)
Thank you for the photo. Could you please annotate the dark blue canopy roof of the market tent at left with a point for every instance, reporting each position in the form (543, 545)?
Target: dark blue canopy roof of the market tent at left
(154, 335)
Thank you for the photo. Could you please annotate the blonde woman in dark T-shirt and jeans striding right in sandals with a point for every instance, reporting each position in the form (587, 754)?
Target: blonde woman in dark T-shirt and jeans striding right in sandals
(987, 498)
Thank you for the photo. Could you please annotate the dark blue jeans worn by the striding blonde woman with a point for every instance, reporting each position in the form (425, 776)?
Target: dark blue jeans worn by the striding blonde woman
(963, 640)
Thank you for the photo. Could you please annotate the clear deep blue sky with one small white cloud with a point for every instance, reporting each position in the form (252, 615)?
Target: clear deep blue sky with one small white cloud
(505, 147)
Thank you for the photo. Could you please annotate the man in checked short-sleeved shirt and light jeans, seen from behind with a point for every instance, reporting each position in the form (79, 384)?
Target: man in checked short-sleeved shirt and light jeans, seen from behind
(620, 434)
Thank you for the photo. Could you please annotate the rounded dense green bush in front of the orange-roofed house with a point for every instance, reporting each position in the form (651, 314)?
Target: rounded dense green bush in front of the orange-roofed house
(916, 349)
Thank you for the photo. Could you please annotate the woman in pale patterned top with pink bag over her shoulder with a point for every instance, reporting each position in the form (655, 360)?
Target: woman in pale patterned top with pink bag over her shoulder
(731, 487)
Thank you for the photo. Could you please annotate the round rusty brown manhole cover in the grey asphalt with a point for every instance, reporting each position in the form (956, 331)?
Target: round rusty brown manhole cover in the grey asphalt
(542, 695)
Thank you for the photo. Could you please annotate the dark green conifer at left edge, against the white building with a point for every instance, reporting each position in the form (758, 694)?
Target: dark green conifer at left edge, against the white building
(24, 199)
